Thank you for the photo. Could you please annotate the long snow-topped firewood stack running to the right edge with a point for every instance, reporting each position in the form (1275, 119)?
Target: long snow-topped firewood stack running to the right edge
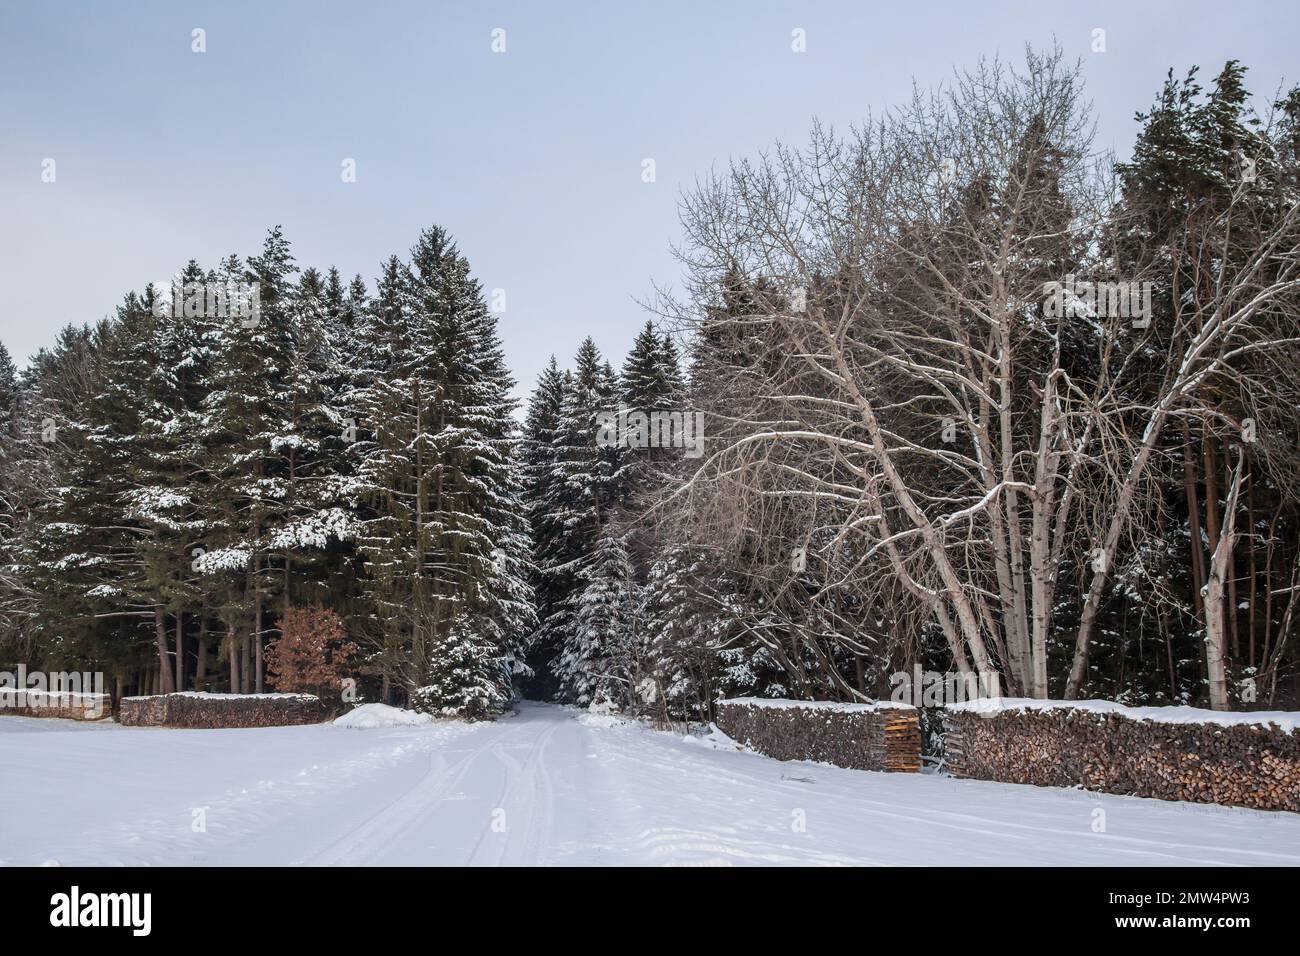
(1171, 754)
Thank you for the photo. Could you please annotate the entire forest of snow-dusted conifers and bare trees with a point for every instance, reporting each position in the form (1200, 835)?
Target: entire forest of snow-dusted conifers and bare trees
(972, 395)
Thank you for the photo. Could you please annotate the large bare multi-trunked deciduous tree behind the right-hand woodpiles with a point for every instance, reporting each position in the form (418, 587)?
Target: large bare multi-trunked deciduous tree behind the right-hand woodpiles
(926, 366)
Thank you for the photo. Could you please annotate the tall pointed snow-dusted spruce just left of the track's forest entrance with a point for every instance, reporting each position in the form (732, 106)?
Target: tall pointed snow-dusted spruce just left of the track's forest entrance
(444, 527)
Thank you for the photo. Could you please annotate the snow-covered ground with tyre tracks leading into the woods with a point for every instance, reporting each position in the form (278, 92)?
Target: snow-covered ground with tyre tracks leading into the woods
(552, 786)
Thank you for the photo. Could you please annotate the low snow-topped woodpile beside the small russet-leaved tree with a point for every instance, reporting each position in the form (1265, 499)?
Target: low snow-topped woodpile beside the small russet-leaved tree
(198, 711)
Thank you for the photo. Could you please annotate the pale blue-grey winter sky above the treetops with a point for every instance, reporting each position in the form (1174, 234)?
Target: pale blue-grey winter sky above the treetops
(532, 158)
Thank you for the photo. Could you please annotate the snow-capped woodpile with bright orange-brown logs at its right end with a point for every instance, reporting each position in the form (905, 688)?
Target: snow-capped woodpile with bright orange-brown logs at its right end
(860, 737)
